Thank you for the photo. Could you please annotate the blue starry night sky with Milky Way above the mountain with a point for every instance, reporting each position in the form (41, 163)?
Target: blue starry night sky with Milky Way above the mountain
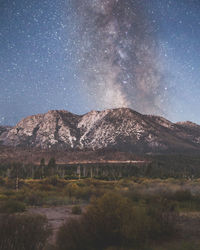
(83, 55)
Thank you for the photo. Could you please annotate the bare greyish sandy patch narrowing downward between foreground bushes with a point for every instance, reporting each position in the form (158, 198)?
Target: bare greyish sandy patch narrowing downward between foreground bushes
(56, 216)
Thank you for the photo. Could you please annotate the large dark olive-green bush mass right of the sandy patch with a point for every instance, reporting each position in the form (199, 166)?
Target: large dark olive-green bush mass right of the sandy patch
(113, 220)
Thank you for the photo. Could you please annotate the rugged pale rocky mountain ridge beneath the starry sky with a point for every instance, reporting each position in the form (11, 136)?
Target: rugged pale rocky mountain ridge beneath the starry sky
(121, 129)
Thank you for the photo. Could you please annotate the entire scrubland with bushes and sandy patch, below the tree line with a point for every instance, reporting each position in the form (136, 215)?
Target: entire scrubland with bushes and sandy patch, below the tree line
(130, 213)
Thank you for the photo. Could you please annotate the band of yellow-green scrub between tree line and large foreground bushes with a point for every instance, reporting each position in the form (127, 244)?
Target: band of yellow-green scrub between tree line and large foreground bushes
(52, 191)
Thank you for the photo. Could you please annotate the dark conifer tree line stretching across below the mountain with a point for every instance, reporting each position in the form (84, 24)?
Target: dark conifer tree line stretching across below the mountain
(158, 167)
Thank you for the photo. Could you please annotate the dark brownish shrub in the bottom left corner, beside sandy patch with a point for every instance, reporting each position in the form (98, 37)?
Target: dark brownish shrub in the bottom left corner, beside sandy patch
(23, 232)
